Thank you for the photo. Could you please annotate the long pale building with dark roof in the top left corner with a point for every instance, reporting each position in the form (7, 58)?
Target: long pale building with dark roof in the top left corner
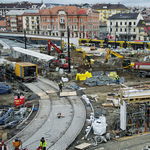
(6, 7)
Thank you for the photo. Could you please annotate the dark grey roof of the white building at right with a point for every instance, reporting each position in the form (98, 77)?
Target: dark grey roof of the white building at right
(124, 16)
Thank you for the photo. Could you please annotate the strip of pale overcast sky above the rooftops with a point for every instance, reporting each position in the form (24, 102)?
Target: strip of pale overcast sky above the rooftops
(125, 2)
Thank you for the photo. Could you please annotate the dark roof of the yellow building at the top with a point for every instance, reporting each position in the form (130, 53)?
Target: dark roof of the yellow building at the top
(109, 6)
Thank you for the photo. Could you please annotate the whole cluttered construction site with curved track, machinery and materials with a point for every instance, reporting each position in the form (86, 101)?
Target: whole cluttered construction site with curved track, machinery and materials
(104, 103)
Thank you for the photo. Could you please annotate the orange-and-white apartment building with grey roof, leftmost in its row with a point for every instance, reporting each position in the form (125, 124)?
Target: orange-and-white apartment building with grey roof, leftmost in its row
(14, 20)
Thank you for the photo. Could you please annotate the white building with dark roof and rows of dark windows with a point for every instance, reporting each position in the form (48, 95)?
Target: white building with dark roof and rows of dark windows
(123, 26)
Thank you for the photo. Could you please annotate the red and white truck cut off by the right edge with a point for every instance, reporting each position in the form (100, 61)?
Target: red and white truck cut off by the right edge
(142, 69)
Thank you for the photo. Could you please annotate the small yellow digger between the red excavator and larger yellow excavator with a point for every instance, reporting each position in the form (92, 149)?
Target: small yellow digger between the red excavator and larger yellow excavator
(88, 59)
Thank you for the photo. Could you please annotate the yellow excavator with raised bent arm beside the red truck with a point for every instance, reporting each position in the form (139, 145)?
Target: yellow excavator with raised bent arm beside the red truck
(126, 62)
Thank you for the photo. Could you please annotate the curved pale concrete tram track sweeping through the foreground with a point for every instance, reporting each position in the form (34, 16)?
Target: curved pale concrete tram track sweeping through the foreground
(48, 124)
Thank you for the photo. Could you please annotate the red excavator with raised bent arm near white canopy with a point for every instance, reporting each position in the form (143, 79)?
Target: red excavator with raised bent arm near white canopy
(62, 58)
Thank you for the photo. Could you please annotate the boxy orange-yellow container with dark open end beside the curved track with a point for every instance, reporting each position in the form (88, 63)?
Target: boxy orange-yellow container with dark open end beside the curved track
(26, 71)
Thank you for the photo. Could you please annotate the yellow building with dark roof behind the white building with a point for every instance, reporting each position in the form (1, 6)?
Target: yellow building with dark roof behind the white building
(107, 10)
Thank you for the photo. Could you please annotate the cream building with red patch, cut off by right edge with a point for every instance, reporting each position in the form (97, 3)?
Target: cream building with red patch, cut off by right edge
(143, 30)
